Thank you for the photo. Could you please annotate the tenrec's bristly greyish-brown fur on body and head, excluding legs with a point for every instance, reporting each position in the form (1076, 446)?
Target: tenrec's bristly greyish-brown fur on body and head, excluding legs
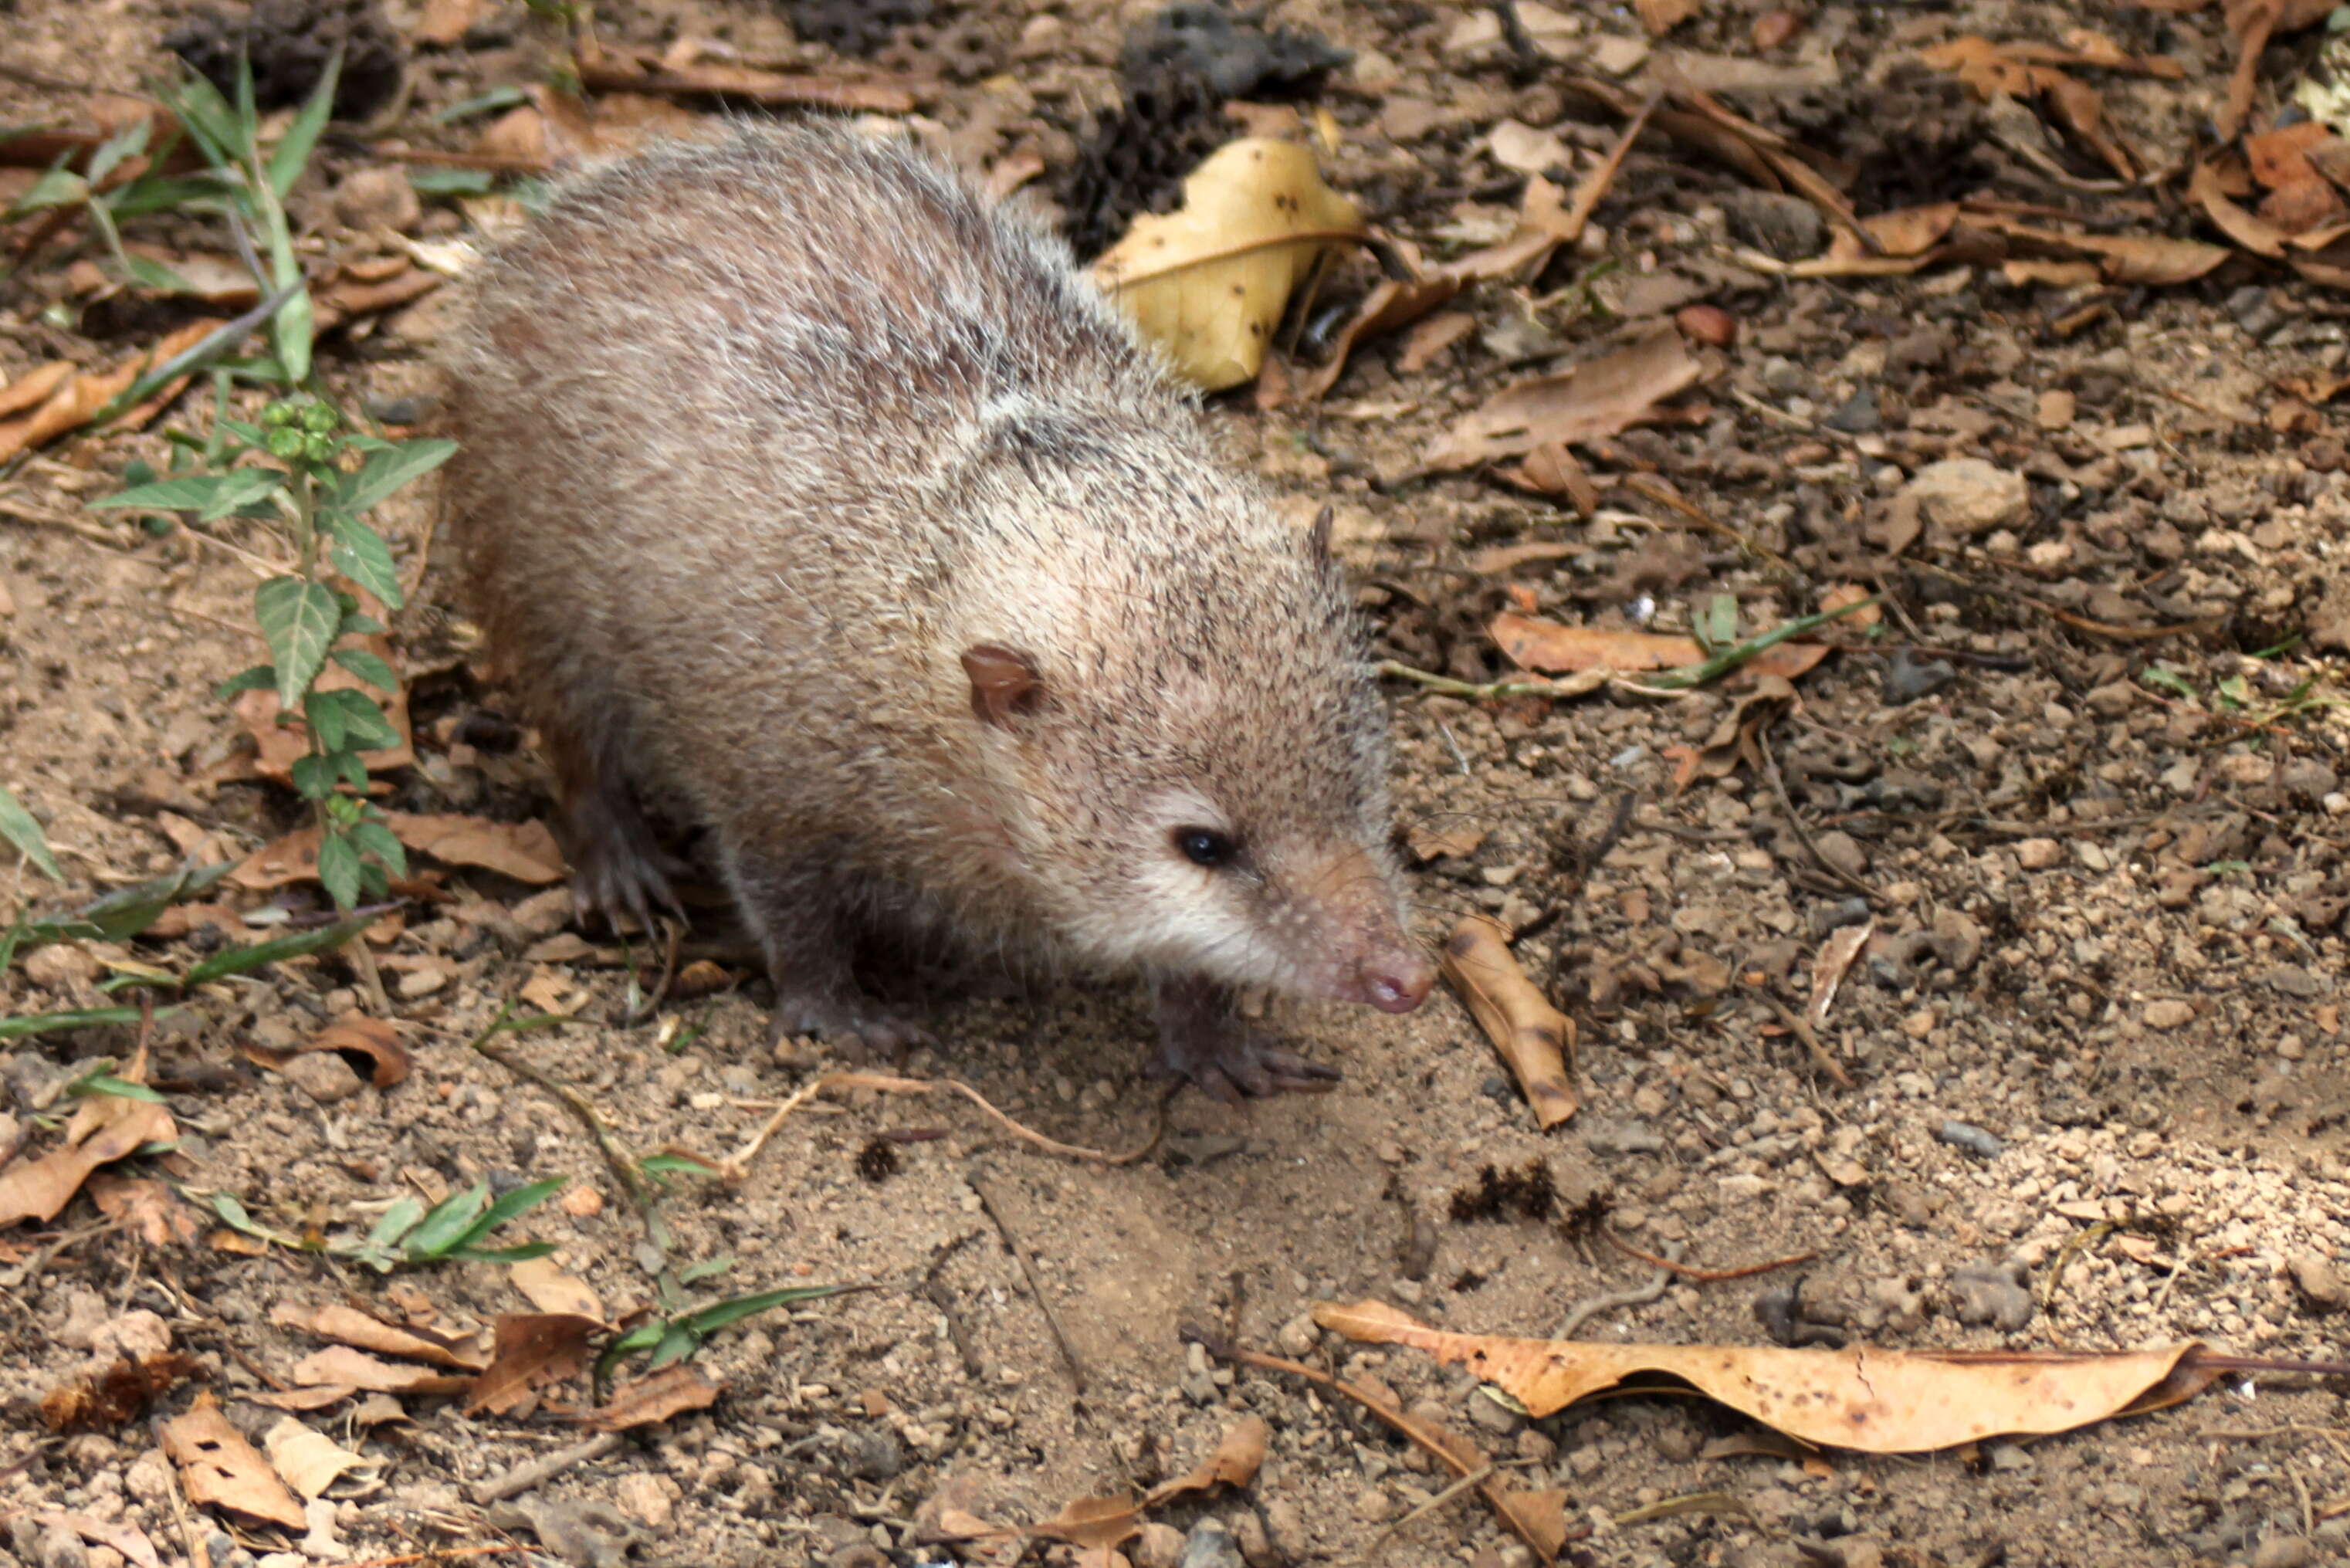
(758, 438)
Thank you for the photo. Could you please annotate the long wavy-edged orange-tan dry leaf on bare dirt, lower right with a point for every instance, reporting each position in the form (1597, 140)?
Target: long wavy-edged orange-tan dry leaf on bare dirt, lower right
(1860, 1398)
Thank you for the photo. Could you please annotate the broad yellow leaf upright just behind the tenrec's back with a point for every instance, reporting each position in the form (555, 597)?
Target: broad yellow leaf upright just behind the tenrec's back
(1209, 283)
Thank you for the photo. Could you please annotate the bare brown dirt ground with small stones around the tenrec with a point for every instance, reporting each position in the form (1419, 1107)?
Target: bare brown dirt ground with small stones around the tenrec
(2100, 1073)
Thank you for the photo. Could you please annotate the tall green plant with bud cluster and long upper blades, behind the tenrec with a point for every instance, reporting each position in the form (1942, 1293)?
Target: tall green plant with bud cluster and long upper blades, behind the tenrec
(304, 469)
